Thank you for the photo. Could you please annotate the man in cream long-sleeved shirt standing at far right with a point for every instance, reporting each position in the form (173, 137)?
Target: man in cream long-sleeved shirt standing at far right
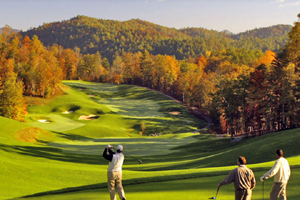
(281, 172)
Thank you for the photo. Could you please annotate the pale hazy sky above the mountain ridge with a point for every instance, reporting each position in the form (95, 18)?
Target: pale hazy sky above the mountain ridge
(233, 15)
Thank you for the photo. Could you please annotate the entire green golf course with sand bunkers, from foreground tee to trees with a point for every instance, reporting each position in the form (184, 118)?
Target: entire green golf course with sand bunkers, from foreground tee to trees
(57, 152)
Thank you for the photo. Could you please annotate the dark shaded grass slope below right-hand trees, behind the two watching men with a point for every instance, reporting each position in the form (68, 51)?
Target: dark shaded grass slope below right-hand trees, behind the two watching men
(221, 152)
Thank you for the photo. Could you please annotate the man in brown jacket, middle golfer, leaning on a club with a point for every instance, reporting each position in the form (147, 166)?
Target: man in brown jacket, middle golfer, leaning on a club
(243, 178)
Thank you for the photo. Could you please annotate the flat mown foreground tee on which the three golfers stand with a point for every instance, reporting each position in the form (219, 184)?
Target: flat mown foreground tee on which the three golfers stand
(188, 189)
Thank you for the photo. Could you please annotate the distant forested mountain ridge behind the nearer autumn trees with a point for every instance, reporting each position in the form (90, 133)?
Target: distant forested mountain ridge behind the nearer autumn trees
(110, 36)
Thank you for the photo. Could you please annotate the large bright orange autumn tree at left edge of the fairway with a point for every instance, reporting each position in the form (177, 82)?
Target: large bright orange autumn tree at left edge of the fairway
(38, 68)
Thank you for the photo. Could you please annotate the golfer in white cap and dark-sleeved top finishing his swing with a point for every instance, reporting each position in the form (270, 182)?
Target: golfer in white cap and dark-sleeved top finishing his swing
(114, 172)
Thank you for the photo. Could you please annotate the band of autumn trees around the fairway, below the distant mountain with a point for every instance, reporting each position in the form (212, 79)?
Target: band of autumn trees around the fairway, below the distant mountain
(243, 91)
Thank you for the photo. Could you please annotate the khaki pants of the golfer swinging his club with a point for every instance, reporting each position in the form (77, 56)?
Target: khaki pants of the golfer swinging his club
(114, 180)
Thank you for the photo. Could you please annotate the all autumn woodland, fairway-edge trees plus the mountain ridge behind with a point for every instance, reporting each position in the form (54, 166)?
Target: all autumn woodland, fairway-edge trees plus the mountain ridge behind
(244, 87)
